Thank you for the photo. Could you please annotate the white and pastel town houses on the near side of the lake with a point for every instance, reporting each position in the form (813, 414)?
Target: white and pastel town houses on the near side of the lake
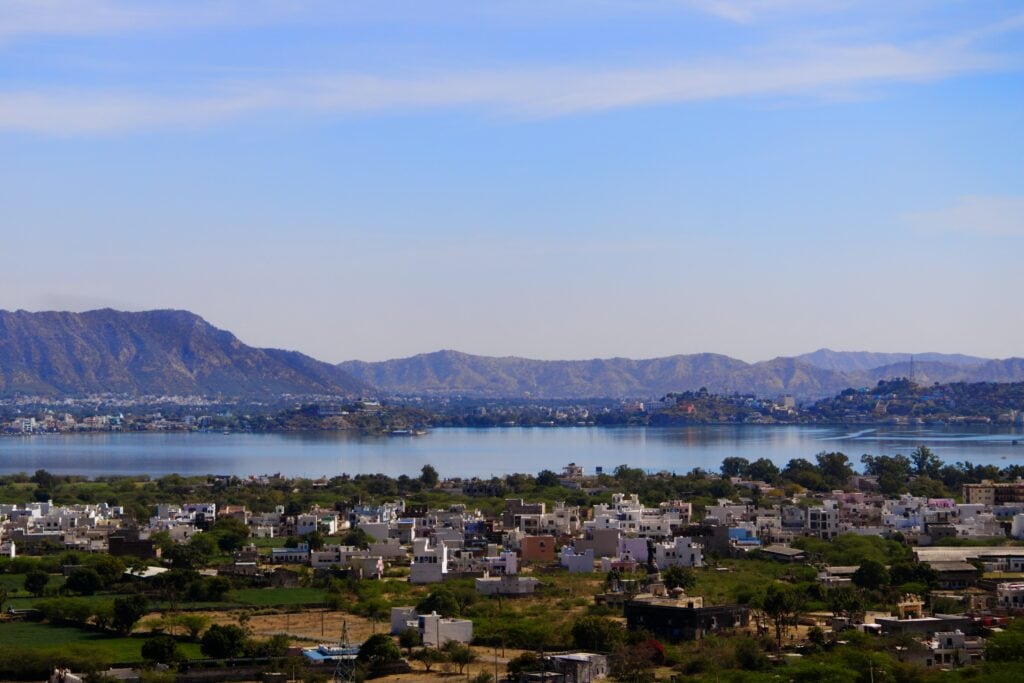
(500, 552)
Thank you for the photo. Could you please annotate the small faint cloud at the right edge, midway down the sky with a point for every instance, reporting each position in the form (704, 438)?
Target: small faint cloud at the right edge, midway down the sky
(974, 215)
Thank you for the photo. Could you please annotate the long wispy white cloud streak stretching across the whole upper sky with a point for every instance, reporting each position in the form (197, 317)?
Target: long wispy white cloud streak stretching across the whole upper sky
(523, 93)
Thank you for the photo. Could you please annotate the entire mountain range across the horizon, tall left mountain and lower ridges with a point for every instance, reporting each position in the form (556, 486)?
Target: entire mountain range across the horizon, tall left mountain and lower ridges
(168, 353)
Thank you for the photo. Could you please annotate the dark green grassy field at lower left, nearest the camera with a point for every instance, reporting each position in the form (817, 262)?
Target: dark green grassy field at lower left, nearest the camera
(35, 637)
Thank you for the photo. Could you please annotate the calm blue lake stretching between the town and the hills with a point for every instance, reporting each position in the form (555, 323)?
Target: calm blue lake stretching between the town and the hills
(485, 452)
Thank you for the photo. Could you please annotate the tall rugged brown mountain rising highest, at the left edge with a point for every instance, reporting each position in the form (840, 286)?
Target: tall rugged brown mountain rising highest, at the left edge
(158, 353)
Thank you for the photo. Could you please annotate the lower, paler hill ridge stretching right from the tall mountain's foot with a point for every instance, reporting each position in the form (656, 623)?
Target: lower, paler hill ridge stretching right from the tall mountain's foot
(821, 374)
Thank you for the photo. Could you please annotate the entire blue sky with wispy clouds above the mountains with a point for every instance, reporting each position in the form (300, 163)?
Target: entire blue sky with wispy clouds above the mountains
(551, 180)
